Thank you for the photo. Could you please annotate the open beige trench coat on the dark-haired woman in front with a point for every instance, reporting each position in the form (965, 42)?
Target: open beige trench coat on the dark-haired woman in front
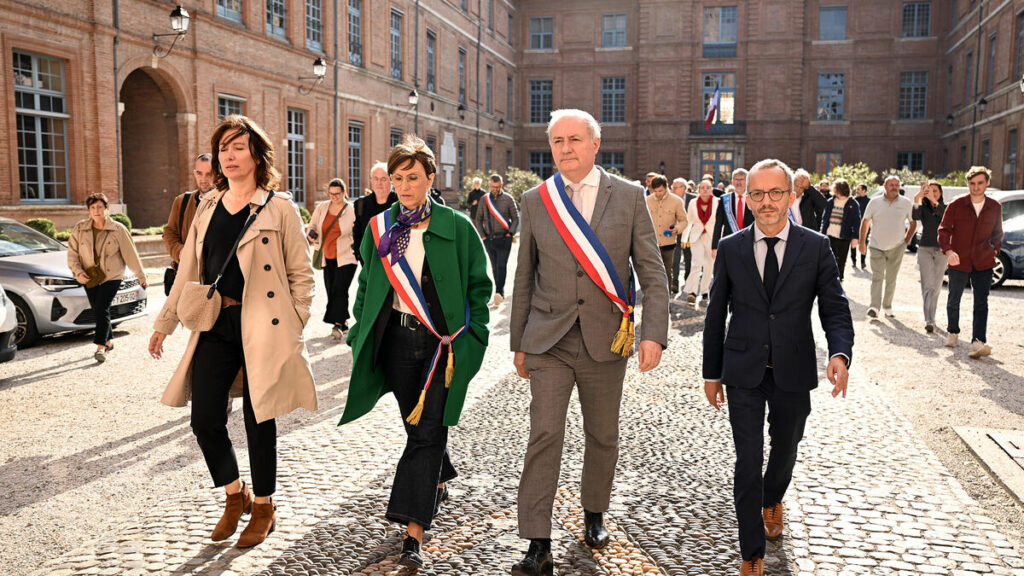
(275, 259)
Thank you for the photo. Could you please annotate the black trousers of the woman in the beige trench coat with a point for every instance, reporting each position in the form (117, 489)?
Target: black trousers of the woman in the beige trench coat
(217, 362)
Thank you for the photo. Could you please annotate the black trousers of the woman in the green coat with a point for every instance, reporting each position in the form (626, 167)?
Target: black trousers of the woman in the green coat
(425, 463)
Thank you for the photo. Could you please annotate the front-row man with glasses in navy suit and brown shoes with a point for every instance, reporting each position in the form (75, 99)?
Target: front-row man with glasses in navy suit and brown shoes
(769, 276)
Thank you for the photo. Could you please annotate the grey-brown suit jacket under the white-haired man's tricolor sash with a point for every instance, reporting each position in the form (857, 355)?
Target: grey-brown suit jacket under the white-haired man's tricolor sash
(552, 290)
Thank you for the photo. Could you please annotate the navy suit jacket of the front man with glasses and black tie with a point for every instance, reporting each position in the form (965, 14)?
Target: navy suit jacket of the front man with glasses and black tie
(739, 355)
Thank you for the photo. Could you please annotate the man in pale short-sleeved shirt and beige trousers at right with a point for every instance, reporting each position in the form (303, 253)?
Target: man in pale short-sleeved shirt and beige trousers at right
(887, 218)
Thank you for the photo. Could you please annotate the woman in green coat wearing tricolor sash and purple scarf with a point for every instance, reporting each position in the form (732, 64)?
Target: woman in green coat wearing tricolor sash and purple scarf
(421, 332)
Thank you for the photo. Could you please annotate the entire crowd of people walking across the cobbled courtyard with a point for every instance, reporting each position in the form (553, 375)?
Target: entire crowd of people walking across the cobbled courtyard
(758, 255)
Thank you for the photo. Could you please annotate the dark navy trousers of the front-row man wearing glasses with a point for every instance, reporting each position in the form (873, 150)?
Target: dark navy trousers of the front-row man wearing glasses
(787, 416)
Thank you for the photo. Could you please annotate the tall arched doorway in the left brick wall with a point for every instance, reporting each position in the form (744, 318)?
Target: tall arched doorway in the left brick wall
(151, 164)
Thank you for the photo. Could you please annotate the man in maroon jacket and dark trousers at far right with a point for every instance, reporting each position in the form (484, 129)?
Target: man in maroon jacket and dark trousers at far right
(970, 236)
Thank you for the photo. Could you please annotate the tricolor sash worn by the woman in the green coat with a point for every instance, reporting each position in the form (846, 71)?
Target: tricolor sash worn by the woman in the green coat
(401, 276)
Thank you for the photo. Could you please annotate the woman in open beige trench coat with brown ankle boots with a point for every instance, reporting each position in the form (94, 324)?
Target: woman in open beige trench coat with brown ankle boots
(267, 290)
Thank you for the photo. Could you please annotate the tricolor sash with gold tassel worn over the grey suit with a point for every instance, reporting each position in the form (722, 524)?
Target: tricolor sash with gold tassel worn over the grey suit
(592, 256)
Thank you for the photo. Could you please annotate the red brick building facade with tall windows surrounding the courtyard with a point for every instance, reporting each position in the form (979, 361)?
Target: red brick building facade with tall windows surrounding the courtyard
(88, 106)
